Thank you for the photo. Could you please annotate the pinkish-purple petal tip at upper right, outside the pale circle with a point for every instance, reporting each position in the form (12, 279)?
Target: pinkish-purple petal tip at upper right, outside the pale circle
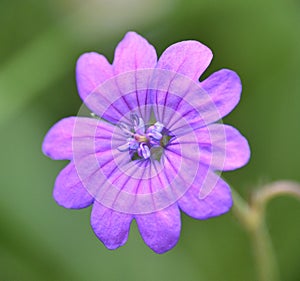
(224, 87)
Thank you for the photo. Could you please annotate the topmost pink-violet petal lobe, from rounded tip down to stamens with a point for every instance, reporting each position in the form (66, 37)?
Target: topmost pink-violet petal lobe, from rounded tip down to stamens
(133, 53)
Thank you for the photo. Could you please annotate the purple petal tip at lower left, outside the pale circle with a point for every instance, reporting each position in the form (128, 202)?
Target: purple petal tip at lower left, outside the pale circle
(69, 191)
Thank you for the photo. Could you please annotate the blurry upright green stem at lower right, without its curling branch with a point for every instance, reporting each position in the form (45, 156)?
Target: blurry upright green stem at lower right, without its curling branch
(253, 220)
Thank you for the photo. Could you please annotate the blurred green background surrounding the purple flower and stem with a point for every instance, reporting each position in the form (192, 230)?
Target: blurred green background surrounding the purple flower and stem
(40, 42)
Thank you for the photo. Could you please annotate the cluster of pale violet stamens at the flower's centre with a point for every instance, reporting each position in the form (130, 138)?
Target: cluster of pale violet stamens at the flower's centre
(143, 141)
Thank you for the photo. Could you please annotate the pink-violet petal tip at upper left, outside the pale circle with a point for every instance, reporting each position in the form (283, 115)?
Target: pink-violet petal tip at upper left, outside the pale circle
(92, 69)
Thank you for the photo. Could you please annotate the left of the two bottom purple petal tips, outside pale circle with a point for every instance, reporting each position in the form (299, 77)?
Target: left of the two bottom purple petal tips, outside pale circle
(111, 227)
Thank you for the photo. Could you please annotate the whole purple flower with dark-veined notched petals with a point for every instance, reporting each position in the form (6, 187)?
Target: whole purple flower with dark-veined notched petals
(152, 145)
